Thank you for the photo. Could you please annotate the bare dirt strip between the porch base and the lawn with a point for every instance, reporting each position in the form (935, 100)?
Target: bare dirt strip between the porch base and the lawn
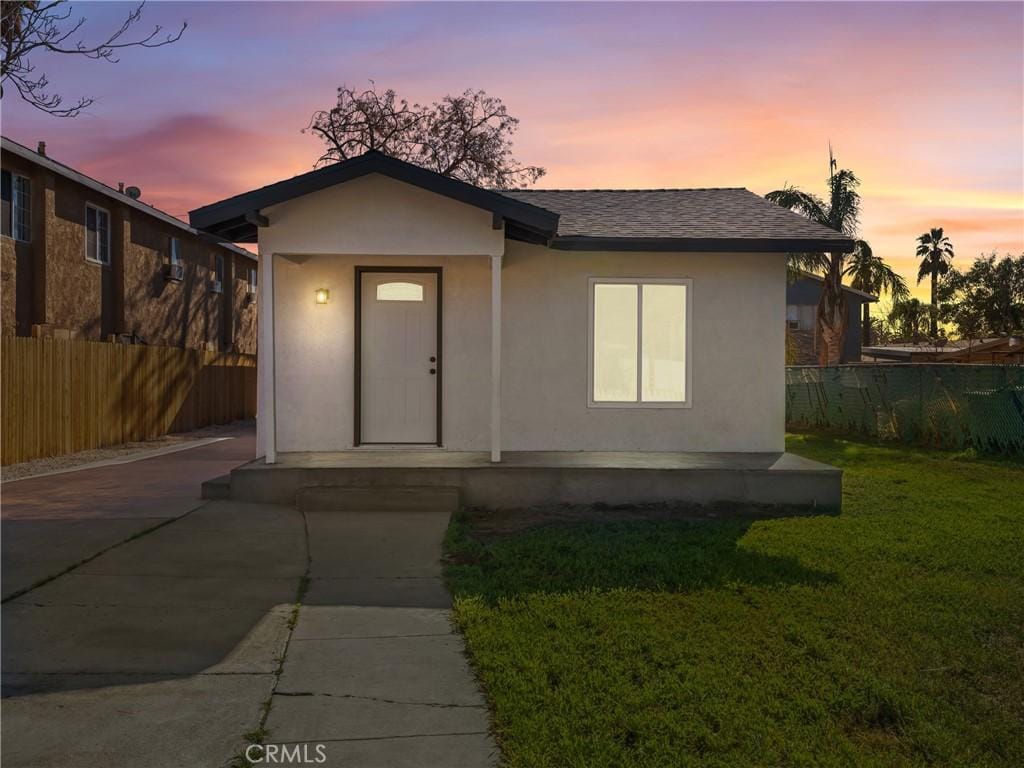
(488, 525)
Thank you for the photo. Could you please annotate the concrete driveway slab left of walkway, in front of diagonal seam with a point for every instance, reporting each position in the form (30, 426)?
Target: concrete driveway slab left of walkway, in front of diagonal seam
(159, 653)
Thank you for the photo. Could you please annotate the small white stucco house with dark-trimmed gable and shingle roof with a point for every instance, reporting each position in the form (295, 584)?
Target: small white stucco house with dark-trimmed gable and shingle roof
(405, 316)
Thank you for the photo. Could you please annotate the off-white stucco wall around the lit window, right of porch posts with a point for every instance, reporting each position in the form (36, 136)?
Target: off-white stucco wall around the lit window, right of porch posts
(738, 353)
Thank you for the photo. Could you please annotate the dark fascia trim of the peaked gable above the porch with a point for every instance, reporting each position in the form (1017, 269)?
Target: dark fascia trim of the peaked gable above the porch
(228, 212)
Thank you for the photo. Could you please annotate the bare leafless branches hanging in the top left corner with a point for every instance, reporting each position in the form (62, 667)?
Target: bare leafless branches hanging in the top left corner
(31, 28)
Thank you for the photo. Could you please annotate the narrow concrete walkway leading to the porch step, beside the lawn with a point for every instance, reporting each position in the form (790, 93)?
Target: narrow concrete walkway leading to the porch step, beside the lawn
(379, 687)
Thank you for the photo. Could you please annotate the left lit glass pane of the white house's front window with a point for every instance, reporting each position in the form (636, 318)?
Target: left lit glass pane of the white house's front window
(615, 344)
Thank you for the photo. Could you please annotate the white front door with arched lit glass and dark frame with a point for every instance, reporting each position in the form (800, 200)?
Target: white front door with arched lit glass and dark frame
(400, 358)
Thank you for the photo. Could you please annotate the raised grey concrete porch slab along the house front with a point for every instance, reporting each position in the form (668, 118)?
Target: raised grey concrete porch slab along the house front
(538, 479)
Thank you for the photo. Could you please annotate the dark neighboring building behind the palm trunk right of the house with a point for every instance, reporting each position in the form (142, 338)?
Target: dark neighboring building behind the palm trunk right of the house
(802, 296)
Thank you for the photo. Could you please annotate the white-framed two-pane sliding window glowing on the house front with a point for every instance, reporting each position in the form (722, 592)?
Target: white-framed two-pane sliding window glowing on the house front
(639, 343)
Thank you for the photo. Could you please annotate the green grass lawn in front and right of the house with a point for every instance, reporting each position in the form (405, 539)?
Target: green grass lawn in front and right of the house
(892, 634)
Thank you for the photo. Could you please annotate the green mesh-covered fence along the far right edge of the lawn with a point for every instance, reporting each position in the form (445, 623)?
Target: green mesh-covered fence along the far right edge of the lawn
(942, 406)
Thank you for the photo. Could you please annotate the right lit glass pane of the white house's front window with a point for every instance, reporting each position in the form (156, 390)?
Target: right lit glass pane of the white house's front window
(664, 358)
